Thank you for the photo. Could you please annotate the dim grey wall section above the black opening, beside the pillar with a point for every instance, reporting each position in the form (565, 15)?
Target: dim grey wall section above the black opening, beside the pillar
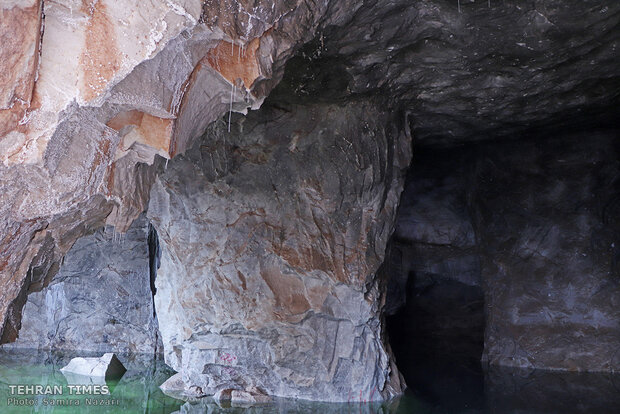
(434, 240)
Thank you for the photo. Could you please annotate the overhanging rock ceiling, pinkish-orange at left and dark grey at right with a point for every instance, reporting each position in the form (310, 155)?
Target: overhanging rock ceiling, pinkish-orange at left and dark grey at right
(94, 93)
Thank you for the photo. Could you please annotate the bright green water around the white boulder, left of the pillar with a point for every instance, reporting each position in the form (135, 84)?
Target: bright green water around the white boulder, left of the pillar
(136, 392)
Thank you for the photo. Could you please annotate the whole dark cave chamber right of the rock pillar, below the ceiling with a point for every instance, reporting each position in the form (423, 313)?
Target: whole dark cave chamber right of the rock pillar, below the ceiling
(503, 263)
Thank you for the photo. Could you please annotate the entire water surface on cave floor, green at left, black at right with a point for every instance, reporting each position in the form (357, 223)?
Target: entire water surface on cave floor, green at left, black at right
(439, 385)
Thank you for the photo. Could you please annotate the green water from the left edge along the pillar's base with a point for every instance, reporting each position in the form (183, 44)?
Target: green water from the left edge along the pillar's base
(136, 392)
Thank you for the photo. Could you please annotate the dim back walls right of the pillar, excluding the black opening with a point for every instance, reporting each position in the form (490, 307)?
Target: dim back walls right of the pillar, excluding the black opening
(539, 219)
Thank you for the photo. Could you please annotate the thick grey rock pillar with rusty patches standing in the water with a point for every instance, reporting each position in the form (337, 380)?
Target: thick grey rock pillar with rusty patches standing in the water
(271, 235)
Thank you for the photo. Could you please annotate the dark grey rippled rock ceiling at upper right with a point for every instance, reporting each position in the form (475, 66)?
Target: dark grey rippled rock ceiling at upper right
(489, 70)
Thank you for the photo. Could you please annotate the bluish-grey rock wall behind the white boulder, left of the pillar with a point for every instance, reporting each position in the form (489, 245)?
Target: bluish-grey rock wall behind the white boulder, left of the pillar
(100, 300)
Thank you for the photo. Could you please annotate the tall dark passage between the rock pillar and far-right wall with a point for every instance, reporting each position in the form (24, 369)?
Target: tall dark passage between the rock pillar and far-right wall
(435, 305)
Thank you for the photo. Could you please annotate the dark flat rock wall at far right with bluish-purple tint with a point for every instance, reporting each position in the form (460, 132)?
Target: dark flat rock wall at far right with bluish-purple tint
(547, 220)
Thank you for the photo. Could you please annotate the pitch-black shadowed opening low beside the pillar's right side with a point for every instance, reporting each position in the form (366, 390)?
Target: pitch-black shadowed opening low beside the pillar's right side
(437, 339)
